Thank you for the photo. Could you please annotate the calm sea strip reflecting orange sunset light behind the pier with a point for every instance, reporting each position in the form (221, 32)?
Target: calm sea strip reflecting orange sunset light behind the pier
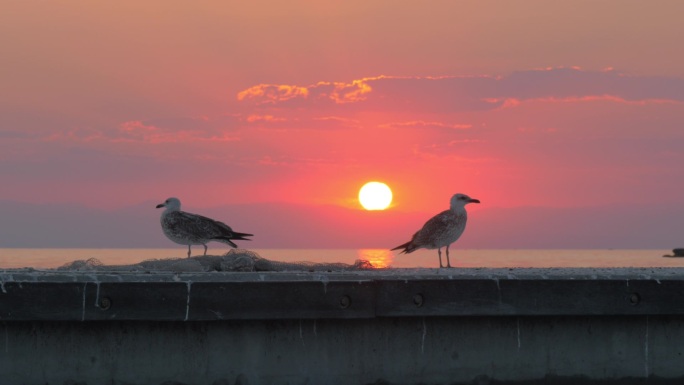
(51, 258)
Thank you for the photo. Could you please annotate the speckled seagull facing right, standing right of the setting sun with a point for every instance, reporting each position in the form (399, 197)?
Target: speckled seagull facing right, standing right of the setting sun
(441, 230)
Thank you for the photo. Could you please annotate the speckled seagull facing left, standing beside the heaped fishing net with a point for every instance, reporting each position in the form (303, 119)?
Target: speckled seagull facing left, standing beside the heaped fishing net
(192, 229)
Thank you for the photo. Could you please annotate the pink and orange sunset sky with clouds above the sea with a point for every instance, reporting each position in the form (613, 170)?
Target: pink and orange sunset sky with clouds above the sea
(545, 109)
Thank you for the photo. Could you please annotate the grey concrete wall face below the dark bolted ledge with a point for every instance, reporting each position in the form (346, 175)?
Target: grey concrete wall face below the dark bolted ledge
(422, 350)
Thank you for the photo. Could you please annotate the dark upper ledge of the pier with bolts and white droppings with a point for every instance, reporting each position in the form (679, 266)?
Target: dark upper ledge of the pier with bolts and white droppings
(32, 295)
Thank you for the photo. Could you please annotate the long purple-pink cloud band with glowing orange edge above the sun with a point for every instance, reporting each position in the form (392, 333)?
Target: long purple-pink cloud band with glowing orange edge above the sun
(469, 93)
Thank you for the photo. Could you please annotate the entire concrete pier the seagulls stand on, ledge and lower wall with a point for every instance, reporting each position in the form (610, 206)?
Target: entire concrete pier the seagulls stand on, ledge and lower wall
(398, 326)
